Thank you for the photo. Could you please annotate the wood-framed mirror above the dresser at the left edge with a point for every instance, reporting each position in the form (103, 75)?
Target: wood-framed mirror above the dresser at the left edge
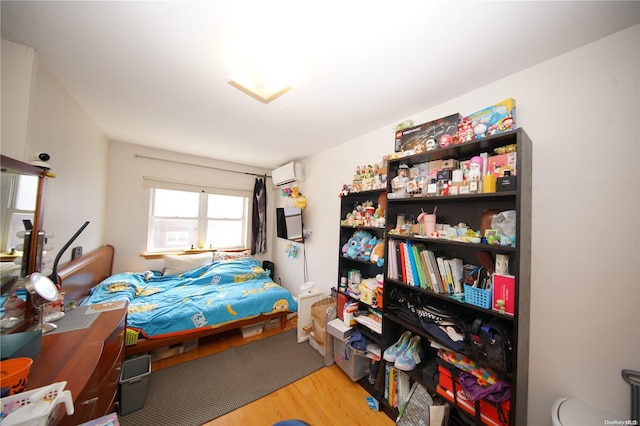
(21, 195)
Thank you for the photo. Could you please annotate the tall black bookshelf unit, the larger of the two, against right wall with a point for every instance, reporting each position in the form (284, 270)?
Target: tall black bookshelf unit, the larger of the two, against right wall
(468, 209)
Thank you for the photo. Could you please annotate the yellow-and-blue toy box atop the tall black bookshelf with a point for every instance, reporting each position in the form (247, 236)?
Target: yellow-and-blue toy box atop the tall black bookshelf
(498, 118)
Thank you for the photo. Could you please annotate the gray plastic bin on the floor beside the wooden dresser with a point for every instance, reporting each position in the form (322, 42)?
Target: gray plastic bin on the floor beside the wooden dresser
(134, 379)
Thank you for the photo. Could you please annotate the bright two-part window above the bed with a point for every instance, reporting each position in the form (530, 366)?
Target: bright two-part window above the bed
(180, 219)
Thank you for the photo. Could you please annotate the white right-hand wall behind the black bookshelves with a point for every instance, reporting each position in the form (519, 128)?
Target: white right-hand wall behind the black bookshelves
(581, 111)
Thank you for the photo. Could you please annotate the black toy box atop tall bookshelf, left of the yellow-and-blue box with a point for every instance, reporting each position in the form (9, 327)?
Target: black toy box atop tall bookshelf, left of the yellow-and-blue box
(428, 136)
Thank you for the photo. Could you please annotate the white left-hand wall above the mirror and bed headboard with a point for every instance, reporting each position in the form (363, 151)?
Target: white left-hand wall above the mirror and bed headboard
(39, 115)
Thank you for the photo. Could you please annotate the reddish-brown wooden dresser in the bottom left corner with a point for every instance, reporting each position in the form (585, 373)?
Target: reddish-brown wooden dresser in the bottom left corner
(89, 360)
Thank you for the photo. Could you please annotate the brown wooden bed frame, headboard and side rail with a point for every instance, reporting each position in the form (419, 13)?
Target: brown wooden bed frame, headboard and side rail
(78, 276)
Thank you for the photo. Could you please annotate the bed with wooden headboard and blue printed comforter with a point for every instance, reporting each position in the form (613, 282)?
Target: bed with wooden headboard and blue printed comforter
(171, 308)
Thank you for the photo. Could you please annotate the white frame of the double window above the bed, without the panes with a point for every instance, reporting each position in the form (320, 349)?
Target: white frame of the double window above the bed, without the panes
(151, 184)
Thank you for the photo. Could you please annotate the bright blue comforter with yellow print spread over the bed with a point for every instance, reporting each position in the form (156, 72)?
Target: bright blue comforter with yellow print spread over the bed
(209, 296)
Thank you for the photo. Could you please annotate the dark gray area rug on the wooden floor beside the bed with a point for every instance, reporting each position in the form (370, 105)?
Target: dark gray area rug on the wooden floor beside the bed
(201, 390)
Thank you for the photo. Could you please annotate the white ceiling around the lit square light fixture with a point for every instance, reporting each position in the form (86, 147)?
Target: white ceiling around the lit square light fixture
(156, 73)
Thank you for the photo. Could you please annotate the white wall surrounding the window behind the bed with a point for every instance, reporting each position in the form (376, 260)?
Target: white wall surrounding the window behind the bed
(128, 200)
